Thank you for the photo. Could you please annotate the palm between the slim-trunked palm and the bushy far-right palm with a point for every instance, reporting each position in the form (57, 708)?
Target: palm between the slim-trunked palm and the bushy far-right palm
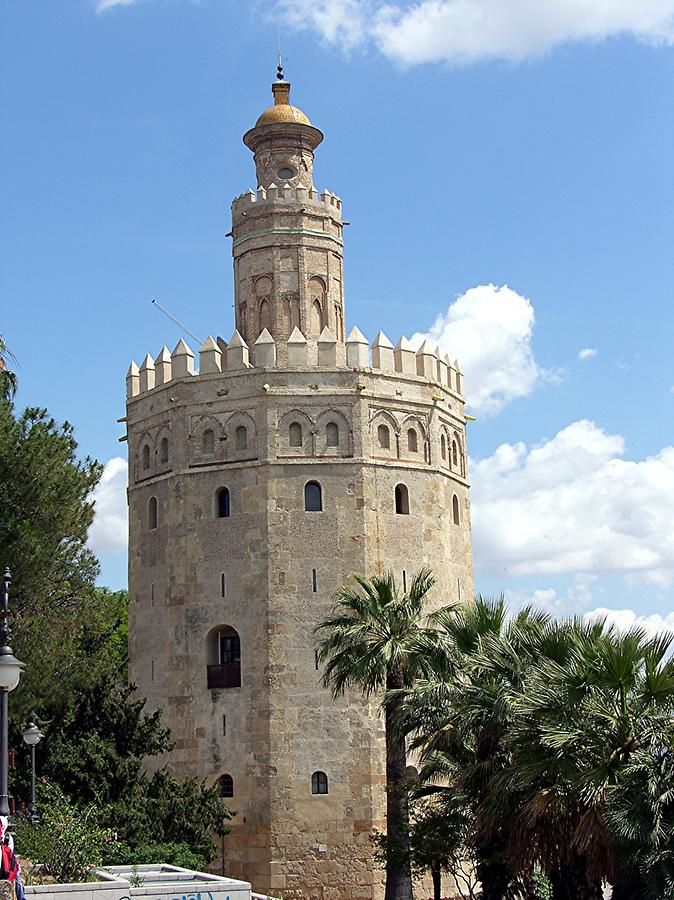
(460, 719)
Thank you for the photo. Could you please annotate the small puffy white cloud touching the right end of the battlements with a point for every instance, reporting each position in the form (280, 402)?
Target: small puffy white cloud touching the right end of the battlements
(489, 328)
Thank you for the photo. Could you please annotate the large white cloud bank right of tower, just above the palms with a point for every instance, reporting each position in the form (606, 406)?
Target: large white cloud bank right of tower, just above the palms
(573, 505)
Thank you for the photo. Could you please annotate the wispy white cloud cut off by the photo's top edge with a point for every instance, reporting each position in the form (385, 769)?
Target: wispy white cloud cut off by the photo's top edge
(465, 31)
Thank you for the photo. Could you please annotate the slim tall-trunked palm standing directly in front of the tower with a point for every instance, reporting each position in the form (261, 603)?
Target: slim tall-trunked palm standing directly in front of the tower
(379, 640)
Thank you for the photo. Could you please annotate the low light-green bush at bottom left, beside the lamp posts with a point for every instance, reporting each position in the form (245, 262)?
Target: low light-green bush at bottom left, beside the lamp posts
(67, 842)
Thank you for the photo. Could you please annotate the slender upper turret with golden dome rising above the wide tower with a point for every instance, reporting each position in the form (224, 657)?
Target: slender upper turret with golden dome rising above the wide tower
(286, 238)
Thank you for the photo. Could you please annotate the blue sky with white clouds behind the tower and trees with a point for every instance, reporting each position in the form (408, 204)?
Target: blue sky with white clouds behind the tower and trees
(476, 146)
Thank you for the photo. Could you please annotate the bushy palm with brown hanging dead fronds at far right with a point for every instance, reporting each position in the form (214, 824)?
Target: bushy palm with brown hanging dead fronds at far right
(576, 726)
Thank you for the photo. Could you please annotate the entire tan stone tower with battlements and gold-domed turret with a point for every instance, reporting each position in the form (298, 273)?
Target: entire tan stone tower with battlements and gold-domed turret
(256, 487)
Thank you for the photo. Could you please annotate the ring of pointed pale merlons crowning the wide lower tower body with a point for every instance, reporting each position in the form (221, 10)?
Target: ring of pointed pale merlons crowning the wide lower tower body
(235, 356)
